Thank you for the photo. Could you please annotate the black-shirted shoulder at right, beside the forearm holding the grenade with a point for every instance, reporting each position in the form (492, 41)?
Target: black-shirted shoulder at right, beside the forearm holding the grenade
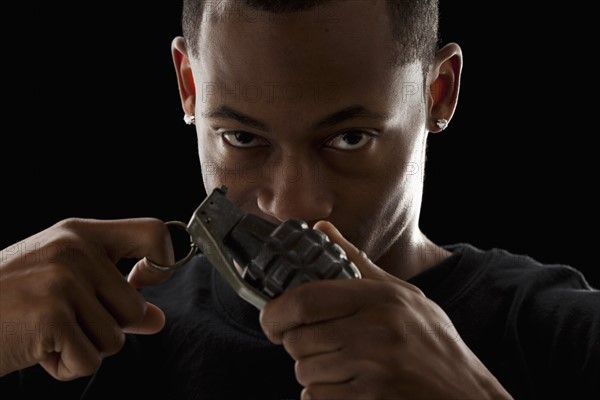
(517, 311)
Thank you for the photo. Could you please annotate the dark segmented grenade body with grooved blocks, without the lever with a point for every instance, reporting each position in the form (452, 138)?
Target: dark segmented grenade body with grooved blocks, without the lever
(294, 254)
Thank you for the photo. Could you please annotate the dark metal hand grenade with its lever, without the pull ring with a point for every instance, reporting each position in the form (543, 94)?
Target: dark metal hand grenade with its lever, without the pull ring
(271, 258)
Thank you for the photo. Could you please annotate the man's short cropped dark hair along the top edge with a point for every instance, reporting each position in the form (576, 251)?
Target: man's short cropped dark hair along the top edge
(414, 23)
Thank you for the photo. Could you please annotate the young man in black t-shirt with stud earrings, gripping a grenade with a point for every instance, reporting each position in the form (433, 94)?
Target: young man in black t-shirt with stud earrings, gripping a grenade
(316, 110)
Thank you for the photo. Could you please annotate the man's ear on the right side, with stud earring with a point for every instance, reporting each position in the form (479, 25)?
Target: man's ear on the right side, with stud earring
(444, 84)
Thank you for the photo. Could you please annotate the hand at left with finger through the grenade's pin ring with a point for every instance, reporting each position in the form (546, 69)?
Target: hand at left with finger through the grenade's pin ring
(63, 302)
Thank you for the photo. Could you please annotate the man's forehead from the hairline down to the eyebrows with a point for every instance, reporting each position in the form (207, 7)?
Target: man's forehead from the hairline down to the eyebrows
(338, 51)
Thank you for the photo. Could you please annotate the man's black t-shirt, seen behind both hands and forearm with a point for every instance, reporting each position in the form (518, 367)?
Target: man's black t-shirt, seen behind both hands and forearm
(536, 327)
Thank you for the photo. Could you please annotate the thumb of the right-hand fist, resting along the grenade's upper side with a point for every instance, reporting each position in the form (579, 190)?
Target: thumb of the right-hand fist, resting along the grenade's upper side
(367, 268)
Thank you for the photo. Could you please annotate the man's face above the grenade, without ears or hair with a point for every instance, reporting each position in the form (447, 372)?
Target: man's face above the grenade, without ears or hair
(303, 115)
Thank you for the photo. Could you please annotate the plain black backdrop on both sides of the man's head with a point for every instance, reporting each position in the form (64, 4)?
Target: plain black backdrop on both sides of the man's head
(93, 126)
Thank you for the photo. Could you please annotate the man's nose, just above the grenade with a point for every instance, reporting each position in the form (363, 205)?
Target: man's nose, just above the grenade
(296, 190)
